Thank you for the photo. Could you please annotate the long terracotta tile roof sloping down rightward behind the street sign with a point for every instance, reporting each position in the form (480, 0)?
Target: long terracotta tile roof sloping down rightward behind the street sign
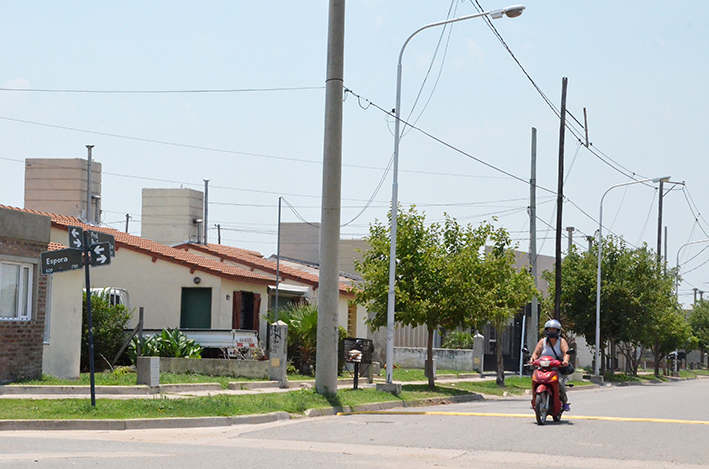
(157, 250)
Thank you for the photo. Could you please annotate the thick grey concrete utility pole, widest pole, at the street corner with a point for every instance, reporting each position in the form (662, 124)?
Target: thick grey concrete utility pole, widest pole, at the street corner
(328, 287)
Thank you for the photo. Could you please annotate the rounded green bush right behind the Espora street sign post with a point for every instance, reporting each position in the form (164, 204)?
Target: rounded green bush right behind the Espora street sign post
(108, 323)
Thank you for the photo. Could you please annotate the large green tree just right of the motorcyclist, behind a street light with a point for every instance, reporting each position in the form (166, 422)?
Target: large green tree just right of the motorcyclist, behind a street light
(636, 296)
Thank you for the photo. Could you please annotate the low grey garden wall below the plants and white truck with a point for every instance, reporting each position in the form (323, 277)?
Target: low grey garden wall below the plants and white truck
(216, 367)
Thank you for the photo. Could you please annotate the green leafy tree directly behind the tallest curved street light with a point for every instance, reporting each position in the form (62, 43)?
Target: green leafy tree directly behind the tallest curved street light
(440, 276)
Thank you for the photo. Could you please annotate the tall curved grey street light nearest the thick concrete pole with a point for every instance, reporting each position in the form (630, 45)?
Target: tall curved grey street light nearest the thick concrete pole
(511, 12)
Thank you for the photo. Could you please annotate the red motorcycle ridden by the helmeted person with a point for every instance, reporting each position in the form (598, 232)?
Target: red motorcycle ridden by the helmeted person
(545, 389)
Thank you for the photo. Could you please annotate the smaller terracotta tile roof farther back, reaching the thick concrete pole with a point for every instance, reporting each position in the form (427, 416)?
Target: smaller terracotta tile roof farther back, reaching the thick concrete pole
(248, 258)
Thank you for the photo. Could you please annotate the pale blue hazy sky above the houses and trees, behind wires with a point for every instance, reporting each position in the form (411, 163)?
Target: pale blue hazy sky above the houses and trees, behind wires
(640, 70)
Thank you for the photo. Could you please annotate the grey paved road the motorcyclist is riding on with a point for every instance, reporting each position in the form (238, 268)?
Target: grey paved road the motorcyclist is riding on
(443, 436)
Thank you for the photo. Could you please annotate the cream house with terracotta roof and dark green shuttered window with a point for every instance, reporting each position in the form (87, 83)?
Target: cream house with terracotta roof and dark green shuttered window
(196, 286)
